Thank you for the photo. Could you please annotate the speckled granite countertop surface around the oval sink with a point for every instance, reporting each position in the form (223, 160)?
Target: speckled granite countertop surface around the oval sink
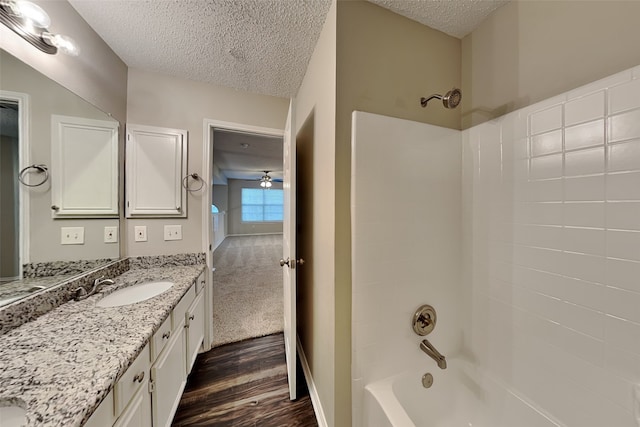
(60, 366)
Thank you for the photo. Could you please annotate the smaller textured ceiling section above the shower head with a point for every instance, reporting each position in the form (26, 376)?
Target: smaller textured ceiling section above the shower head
(454, 17)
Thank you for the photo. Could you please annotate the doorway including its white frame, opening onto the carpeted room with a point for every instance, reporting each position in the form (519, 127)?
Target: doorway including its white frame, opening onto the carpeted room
(238, 158)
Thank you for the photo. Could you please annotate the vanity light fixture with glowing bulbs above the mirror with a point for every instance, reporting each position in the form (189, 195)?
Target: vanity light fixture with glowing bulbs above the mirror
(31, 22)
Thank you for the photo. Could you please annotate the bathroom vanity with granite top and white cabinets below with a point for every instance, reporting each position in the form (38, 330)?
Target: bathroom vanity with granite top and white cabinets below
(126, 365)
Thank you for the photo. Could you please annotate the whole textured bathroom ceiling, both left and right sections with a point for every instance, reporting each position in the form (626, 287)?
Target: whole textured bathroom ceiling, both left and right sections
(260, 46)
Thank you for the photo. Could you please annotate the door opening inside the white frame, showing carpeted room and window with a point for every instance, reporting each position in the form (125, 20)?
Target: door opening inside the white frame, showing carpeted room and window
(247, 196)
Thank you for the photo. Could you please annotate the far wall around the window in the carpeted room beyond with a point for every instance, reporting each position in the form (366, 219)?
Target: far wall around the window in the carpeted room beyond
(234, 211)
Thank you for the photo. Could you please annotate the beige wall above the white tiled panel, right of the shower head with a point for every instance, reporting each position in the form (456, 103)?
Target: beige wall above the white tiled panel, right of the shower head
(528, 51)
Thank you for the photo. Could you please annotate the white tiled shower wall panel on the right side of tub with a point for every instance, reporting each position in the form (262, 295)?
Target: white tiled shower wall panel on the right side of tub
(551, 205)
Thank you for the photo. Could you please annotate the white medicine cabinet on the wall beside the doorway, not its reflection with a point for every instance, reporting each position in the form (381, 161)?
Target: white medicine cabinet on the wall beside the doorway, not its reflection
(156, 164)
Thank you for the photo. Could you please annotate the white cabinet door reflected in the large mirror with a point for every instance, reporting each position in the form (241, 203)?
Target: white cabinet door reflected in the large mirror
(84, 167)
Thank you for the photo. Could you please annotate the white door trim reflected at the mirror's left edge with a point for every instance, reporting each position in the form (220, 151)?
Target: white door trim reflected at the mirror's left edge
(24, 159)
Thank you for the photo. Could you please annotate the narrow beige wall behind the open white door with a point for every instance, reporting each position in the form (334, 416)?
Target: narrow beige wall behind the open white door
(316, 101)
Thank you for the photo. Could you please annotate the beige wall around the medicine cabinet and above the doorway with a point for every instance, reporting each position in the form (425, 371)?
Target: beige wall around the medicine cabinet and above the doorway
(160, 100)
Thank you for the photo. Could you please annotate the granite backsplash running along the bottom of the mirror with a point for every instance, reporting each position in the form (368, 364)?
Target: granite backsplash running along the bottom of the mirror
(34, 306)
